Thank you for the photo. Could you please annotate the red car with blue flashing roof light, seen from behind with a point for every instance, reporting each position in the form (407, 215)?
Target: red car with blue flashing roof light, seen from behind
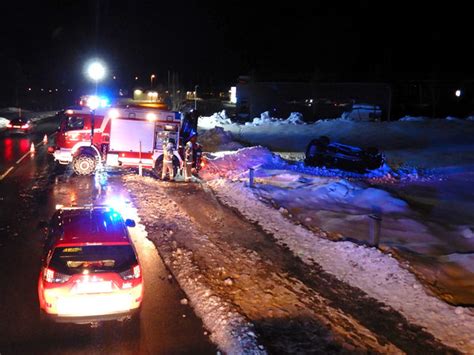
(90, 270)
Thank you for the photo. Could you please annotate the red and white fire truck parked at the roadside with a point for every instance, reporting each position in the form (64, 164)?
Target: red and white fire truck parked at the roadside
(115, 136)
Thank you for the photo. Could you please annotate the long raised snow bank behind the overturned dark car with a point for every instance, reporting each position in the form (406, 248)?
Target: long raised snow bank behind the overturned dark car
(408, 133)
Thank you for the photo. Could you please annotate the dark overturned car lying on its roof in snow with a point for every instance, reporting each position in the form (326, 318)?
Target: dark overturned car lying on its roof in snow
(322, 152)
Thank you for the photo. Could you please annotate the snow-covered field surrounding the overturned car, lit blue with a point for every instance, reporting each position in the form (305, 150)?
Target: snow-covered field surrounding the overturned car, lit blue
(423, 193)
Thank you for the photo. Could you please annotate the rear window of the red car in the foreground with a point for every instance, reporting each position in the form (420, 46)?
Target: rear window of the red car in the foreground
(97, 258)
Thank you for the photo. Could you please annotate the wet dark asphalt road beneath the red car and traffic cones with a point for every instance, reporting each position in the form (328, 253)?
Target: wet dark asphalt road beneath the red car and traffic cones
(28, 194)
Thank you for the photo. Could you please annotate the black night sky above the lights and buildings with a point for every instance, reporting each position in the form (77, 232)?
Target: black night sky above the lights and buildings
(49, 41)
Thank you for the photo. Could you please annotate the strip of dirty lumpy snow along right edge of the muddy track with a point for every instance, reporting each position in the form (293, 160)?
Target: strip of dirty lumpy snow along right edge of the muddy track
(379, 275)
